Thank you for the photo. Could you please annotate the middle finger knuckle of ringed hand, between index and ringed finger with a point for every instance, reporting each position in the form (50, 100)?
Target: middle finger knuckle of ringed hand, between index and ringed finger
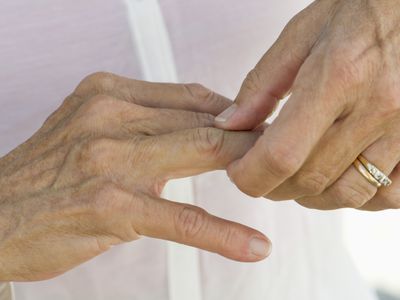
(310, 183)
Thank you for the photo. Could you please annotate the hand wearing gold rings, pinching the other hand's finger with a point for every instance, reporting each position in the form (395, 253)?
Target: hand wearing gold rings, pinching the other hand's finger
(340, 60)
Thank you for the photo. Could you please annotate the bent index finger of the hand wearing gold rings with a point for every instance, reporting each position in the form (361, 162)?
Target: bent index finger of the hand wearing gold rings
(289, 140)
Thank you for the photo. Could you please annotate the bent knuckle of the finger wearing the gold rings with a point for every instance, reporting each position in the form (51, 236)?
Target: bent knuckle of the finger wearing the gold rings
(353, 196)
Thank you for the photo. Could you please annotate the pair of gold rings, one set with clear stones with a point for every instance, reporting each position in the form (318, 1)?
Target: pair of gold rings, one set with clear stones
(370, 172)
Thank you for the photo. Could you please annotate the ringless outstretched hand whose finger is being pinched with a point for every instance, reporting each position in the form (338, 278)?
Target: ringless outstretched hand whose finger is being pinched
(91, 177)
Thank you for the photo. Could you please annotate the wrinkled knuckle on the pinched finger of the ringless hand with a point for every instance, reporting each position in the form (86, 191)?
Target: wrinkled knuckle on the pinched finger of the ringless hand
(209, 141)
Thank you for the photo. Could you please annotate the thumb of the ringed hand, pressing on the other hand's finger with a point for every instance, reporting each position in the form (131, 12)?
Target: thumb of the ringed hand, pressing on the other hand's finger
(271, 79)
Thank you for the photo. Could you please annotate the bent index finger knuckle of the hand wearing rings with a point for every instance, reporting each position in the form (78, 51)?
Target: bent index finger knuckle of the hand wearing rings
(280, 160)
